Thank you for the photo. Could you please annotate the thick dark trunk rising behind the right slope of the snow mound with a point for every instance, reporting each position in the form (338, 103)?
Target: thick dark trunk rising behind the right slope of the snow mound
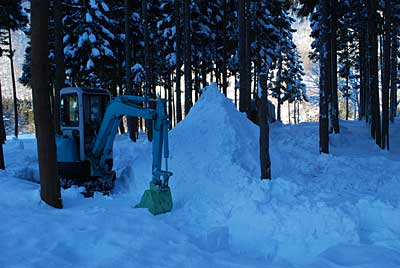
(244, 94)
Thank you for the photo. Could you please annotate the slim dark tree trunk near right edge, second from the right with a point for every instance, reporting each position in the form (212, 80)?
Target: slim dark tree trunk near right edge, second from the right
(386, 76)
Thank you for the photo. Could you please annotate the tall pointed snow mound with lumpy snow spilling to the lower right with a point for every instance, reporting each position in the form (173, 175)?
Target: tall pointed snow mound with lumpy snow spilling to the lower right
(214, 157)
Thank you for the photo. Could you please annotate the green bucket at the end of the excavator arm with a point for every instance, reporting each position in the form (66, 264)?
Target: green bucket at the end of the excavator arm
(156, 200)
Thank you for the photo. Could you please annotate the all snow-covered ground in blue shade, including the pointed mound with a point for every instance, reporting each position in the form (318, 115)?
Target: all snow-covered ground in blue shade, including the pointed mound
(338, 210)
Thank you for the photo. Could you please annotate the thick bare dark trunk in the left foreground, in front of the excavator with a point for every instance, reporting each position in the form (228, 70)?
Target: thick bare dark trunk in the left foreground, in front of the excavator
(46, 146)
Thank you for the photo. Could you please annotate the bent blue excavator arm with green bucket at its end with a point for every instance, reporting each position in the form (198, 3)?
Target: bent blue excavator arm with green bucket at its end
(158, 198)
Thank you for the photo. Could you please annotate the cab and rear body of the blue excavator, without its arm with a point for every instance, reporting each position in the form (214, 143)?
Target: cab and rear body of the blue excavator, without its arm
(81, 114)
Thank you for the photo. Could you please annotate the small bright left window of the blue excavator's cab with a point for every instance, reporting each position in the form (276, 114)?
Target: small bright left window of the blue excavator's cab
(69, 110)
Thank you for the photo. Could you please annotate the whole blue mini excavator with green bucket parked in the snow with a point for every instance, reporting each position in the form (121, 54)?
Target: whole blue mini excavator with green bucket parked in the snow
(89, 120)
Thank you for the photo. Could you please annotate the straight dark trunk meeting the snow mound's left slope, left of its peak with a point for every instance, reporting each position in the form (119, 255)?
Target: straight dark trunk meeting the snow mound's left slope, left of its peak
(188, 60)
